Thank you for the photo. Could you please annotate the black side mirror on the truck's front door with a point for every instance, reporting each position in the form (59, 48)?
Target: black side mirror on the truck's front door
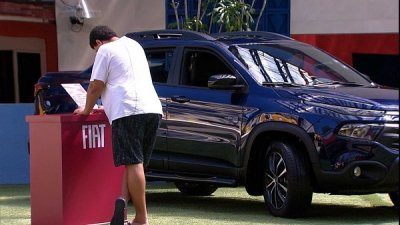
(224, 82)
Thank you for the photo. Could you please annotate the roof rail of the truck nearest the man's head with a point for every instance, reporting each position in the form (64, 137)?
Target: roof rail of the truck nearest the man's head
(169, 34)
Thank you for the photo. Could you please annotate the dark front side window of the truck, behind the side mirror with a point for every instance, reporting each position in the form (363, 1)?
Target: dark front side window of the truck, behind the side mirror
(199, 65)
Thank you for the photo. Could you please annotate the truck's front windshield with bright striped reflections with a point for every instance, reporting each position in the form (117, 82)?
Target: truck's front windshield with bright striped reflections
(295, 63)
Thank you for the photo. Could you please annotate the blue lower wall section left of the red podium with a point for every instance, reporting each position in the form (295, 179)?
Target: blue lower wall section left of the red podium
(14, 136)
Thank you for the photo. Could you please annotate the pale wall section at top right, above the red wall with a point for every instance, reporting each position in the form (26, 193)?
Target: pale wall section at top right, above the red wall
(344, 16)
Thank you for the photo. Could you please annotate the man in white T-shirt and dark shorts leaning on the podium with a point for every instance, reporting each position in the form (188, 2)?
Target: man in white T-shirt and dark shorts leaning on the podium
(121, 77)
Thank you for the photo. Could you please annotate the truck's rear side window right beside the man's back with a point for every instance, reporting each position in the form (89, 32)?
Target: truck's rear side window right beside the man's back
(159, 63)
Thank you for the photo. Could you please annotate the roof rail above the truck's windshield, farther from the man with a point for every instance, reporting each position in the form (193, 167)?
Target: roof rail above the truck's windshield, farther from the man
(251, 34)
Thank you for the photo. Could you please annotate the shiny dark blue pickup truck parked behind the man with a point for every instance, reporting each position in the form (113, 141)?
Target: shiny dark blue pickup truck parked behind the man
(260, 110)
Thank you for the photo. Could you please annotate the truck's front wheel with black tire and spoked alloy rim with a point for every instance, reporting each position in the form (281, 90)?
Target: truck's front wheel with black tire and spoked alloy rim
(287, 183)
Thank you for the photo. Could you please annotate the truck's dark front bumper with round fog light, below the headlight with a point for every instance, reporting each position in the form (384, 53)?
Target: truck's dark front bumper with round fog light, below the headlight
(351, 165)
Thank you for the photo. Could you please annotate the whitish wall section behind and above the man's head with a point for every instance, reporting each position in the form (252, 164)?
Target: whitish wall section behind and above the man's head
(123, 16)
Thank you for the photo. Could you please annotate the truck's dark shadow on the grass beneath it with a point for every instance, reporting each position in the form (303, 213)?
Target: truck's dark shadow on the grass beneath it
(252, 211)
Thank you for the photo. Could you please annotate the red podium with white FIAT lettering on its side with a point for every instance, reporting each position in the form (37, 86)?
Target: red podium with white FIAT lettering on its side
(73, 178)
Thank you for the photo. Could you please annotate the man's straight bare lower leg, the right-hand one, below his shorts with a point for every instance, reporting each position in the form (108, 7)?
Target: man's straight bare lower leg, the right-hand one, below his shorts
(137, 189)
